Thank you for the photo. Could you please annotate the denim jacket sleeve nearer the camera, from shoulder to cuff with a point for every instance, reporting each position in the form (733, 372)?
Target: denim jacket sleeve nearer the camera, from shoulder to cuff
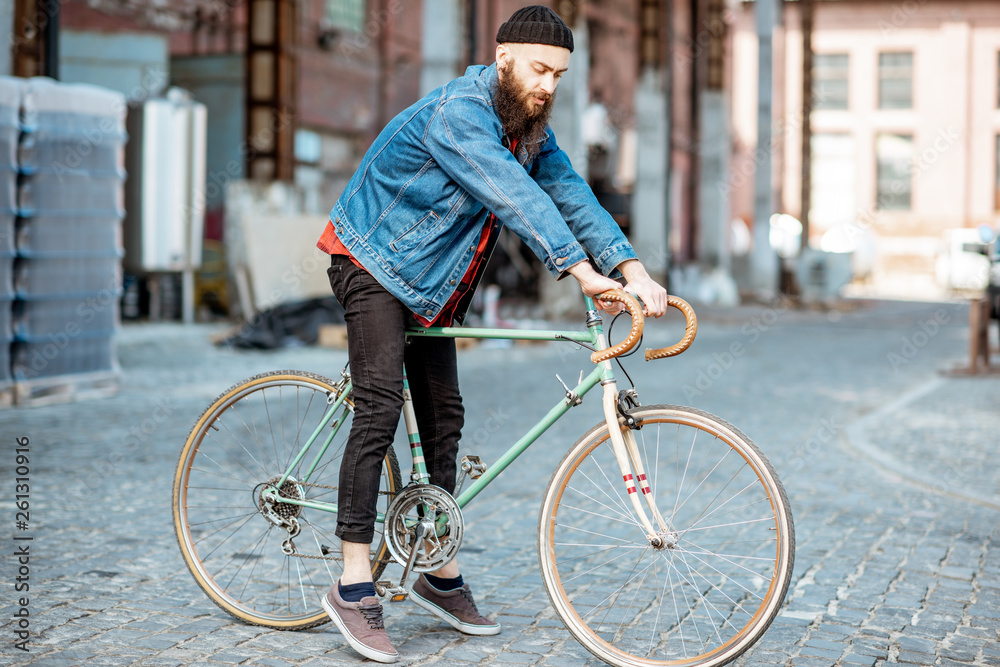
(469, 150)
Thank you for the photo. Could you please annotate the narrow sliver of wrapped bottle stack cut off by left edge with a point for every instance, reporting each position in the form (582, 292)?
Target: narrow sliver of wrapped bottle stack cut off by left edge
(10, 130)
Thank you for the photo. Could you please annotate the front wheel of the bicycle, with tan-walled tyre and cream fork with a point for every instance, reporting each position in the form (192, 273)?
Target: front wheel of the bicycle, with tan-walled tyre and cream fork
(704, 601)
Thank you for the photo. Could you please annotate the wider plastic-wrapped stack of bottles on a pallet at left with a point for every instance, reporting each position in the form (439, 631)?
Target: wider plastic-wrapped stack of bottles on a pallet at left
(67, 275)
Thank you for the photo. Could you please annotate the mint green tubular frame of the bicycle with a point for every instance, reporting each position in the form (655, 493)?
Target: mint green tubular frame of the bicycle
(601, 373)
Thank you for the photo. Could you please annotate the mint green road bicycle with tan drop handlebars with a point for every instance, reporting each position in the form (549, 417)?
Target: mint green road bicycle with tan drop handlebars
(664, 535)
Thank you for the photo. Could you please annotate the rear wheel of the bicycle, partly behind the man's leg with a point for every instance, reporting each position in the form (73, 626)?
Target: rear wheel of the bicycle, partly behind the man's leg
(247, 437)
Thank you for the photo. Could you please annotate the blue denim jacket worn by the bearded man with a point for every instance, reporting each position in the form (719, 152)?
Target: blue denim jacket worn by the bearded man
(414, 211)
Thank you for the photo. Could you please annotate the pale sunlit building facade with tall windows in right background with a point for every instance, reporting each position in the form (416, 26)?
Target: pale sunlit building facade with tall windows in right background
(905, 133)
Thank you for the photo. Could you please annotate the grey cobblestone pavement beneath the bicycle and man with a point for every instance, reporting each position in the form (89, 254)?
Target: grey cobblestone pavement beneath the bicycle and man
(887, 462)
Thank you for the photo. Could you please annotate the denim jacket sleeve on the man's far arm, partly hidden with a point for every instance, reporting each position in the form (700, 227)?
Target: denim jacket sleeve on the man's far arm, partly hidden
(590, 223)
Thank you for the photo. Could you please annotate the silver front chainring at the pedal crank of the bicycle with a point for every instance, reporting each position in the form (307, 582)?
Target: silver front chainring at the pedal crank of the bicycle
(416, 503)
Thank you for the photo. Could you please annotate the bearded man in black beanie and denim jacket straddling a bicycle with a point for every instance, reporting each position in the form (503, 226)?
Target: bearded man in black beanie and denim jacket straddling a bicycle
(409, 238)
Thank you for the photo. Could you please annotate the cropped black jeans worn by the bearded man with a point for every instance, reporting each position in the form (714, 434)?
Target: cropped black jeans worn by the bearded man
(378, 353)
